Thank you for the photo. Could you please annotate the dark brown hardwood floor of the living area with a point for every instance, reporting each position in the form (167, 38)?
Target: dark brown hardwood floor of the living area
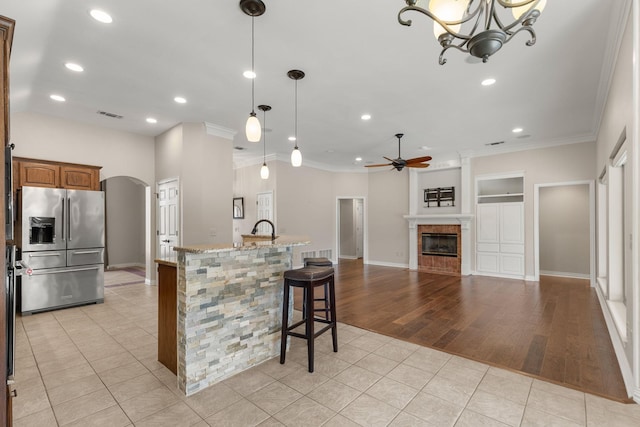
(553, 330)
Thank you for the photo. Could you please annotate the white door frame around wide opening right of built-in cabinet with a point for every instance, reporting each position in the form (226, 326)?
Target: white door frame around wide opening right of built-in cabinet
(592, 226)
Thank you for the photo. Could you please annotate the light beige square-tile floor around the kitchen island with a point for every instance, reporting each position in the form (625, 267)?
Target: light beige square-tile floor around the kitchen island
(96, 366)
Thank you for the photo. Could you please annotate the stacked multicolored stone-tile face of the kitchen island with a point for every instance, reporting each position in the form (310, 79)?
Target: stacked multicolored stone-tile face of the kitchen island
(229, 312)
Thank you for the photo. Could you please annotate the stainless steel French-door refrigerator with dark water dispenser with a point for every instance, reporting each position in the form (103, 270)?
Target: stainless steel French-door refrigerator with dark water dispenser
(61, 236)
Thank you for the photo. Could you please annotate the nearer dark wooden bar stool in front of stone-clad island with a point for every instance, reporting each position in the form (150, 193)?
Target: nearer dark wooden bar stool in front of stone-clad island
(308, 278)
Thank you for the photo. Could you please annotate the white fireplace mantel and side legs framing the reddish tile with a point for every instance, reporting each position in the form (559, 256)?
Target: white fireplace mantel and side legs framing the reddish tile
(415, 244)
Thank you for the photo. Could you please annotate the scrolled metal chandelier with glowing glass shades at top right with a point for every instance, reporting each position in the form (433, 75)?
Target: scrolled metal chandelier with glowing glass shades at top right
(486, 31)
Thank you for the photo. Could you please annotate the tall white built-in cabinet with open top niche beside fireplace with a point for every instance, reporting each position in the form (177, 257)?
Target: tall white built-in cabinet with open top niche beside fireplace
(500, 227)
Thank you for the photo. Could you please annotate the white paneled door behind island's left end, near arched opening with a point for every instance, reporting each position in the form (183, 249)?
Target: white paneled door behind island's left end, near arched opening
(168, 217)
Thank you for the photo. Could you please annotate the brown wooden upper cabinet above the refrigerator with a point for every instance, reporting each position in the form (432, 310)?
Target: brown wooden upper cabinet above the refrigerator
(43, 173)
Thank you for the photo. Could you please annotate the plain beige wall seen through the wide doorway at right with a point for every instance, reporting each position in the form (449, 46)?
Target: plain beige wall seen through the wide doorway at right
(564, 230)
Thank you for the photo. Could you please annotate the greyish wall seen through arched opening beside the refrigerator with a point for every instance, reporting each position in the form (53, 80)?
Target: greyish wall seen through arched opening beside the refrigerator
(125, 218)
